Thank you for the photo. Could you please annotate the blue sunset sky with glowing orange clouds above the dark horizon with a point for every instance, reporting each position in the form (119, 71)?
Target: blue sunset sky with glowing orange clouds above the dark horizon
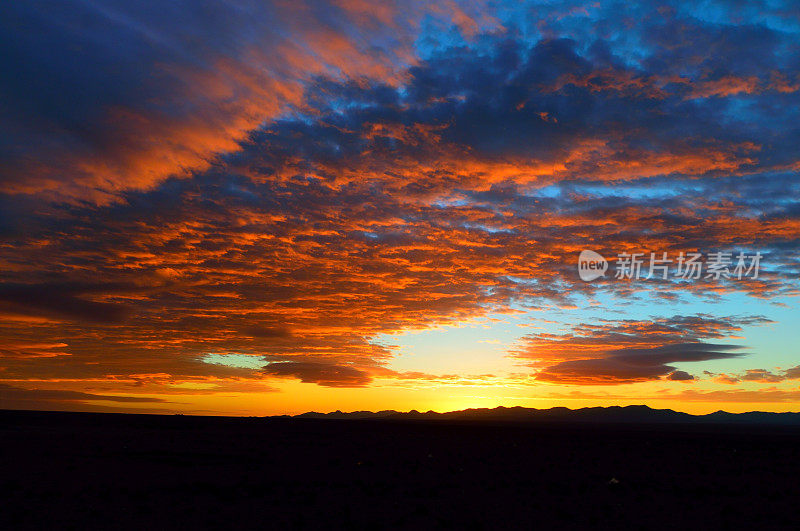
(252, 208)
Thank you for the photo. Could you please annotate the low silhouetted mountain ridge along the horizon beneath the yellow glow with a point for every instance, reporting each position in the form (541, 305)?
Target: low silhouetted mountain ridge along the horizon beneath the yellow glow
(611, 414)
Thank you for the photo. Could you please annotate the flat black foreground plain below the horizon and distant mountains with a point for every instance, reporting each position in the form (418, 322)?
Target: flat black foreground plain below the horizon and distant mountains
(79, 471)
